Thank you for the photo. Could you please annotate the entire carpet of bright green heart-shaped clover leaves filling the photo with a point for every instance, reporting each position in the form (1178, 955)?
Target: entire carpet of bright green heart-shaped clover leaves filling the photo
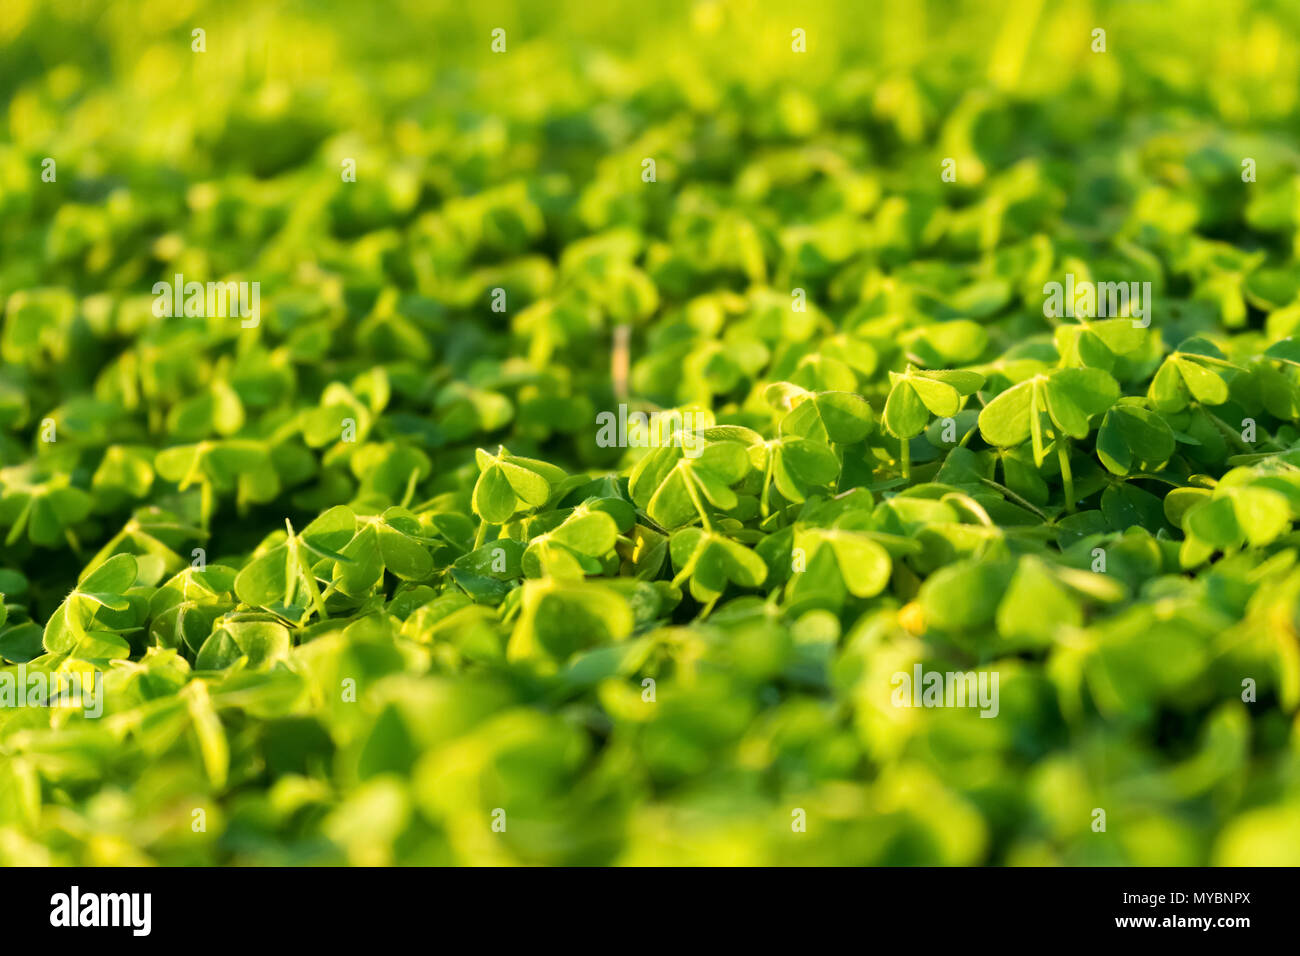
(366, 582)
